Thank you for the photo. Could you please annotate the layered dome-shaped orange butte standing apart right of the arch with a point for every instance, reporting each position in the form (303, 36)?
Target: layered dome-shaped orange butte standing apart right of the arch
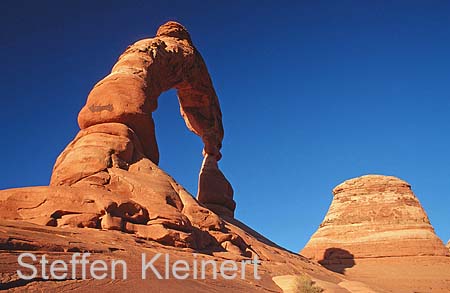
(373, 216)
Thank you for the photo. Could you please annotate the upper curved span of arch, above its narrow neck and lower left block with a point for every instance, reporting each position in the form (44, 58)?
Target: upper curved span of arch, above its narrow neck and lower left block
(146, 69)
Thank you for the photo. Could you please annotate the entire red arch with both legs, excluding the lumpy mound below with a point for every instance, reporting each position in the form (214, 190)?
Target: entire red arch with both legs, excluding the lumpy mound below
(129, 95)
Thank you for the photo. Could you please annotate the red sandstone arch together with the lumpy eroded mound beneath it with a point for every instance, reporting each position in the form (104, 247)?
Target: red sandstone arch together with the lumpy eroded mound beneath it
(108, 176)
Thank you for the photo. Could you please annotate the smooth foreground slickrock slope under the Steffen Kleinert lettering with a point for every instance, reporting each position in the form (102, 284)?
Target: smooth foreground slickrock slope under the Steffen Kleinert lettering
(57, 243)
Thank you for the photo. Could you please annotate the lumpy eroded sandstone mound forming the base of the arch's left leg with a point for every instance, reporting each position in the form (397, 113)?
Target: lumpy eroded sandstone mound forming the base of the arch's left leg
(139, 198)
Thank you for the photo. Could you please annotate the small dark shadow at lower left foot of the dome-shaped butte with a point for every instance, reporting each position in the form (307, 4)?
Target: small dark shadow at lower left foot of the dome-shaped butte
(337, 260)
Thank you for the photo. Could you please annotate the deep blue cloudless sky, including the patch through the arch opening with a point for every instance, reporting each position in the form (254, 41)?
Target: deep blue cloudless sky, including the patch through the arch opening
(312, 94)
